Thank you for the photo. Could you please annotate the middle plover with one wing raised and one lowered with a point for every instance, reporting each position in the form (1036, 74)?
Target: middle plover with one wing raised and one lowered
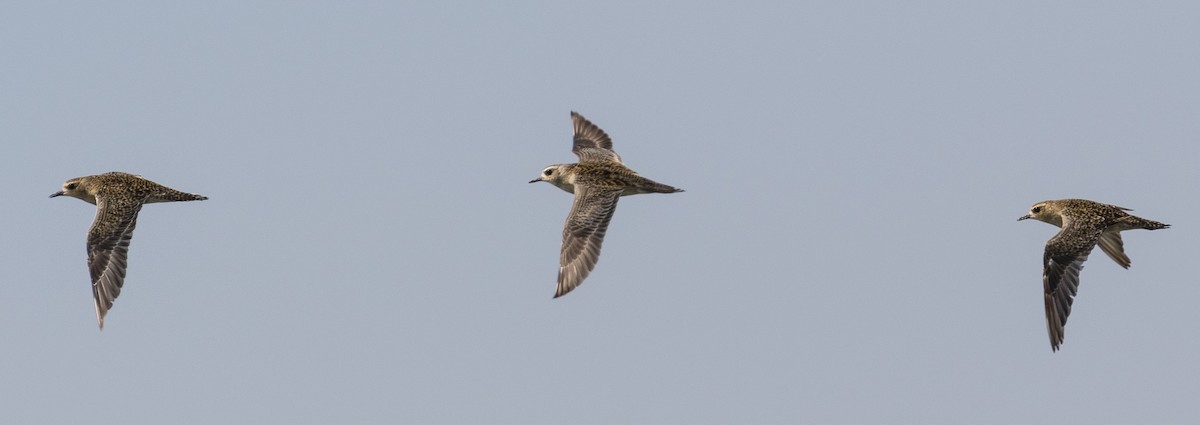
(598, 181)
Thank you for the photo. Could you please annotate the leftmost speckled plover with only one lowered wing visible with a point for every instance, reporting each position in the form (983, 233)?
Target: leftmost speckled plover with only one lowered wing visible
(118, 199)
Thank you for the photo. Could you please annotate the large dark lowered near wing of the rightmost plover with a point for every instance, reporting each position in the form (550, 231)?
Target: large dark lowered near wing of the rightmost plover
(1063, 262)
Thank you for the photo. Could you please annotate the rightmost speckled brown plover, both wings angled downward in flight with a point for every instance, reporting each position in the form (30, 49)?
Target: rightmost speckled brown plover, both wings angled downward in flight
(1085, 225)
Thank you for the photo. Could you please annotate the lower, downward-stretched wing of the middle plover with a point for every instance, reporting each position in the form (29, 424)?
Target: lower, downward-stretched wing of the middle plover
(584, 234)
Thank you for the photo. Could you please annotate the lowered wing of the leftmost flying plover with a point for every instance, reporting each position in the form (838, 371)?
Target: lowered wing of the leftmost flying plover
(109, 247)
